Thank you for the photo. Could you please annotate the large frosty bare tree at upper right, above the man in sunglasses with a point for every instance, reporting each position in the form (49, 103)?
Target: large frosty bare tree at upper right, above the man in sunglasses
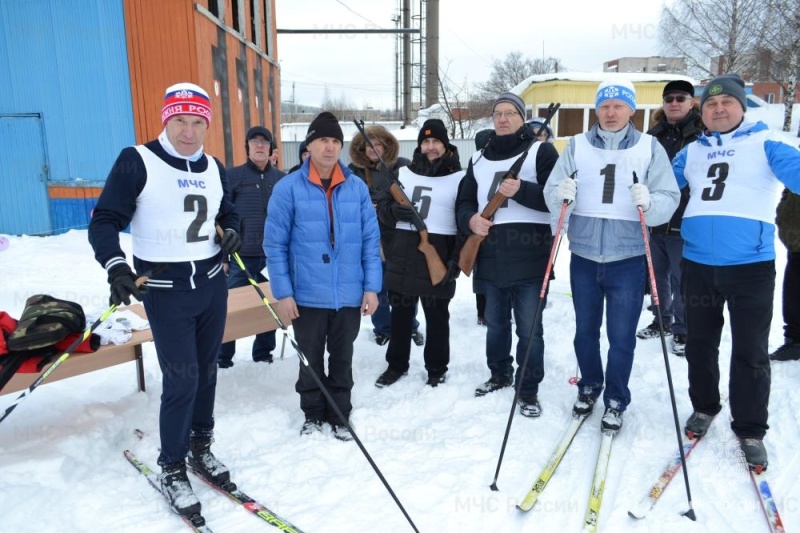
(714, 35)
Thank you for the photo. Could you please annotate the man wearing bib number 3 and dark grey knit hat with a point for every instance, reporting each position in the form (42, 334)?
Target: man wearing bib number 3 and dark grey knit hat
(733, 172)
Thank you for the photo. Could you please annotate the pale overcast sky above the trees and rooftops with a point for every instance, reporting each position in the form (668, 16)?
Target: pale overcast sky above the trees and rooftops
(583, 34)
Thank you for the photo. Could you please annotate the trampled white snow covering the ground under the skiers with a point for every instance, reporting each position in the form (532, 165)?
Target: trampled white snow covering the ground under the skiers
(62, 468)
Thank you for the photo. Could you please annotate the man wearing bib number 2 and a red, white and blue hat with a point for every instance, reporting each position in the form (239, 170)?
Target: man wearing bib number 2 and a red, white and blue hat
(173, 195)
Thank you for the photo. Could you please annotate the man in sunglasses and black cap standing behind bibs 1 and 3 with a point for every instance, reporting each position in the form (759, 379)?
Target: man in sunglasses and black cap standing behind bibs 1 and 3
(678, 123)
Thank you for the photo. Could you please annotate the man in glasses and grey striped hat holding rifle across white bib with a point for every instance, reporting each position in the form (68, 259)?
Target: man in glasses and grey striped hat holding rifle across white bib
(512, 260)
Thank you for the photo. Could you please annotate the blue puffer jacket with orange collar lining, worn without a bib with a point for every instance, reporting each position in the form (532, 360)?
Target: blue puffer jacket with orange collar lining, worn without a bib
(320, 266)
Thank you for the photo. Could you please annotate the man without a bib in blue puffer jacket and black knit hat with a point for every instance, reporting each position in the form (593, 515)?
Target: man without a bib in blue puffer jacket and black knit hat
(323, 252)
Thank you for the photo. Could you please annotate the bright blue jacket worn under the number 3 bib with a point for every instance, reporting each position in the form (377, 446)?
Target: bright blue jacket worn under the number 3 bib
(725, 240)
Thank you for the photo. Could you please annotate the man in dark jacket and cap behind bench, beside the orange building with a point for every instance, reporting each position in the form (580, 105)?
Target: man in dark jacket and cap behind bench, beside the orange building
(251, 187)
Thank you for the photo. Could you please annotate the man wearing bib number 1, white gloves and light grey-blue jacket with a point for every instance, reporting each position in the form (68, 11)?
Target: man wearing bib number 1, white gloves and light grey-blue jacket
(595, 174)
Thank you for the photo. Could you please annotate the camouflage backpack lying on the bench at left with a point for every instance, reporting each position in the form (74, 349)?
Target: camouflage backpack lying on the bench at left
(44, 322)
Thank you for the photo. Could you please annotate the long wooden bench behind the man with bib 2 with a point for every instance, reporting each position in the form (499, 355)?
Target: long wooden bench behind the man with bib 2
(247, 315)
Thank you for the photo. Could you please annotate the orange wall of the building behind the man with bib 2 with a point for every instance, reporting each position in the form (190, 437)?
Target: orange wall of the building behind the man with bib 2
(171, 42)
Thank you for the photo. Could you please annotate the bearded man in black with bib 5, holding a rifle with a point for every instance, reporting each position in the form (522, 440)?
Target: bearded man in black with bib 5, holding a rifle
(432, 179)
